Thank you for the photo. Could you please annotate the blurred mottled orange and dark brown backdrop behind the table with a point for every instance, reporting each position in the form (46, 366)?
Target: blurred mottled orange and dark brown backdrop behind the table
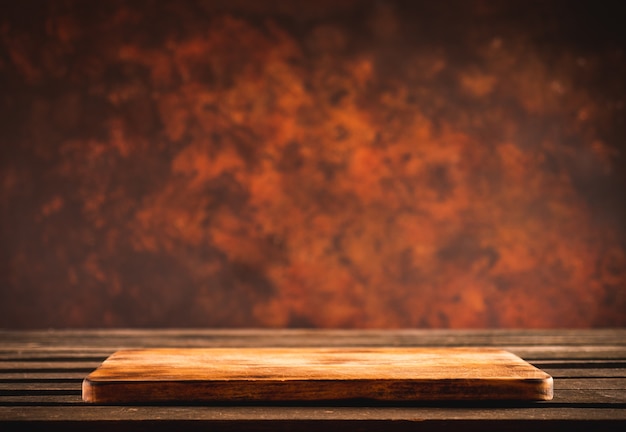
(312, 163)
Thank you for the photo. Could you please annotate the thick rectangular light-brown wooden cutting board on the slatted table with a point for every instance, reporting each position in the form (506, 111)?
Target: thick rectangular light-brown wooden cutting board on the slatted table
(314, 374)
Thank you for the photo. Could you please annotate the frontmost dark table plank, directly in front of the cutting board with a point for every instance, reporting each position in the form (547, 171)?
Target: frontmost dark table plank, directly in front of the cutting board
(304, 414)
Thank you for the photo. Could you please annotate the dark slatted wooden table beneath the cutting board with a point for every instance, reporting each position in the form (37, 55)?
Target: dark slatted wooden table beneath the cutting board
(41, 374)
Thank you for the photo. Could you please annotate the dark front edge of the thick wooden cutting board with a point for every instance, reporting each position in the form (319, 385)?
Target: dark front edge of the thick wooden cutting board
(377, 390)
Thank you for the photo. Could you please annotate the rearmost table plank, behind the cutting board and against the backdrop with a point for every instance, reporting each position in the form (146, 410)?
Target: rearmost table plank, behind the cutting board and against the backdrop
(232, 337)
